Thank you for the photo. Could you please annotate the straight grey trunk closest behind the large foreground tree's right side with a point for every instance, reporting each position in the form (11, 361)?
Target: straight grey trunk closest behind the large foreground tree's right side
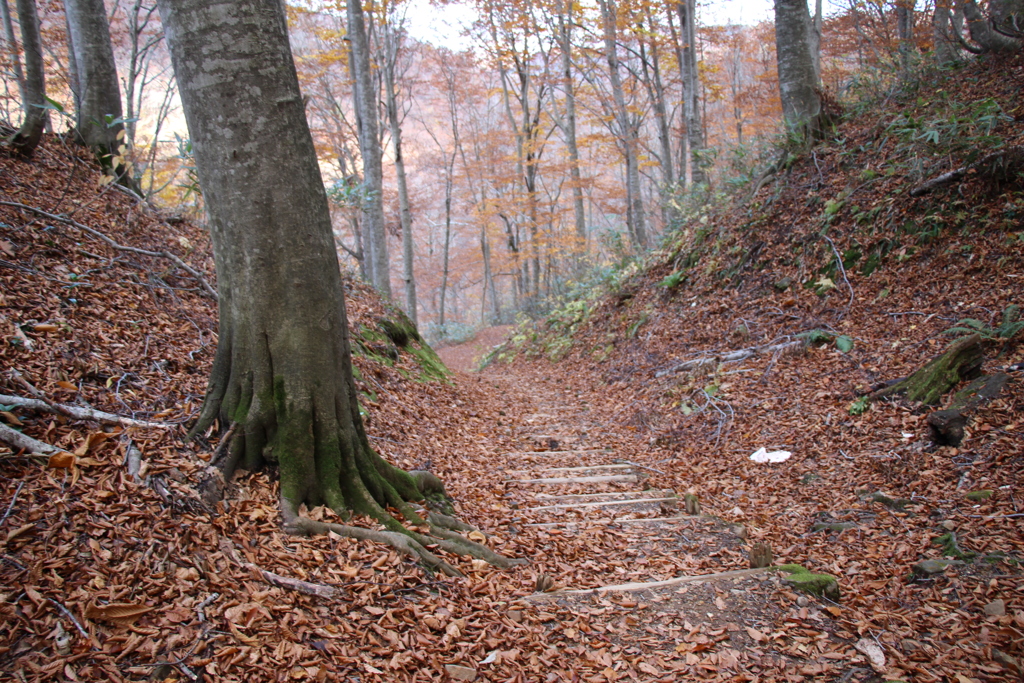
(370, 148)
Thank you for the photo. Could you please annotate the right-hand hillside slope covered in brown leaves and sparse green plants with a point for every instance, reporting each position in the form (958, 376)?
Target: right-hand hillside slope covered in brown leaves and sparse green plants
(835, 250)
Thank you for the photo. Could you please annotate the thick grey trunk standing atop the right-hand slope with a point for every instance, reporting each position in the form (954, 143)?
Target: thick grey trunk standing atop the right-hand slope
(798, 87)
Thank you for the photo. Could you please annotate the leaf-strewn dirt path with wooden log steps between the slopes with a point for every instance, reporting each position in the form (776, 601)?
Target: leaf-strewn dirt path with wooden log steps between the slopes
(653, 588)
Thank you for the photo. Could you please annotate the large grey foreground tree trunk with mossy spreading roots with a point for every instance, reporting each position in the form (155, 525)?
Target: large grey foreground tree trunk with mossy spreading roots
(283, 370)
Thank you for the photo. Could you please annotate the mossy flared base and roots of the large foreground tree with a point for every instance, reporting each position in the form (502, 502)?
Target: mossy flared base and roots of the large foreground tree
(313, 431)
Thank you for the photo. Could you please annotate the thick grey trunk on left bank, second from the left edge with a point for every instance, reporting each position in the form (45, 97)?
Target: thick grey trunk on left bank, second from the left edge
(99, 123)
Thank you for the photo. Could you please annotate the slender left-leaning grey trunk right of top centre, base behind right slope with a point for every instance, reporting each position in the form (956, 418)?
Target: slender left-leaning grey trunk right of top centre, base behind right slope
(630, 139)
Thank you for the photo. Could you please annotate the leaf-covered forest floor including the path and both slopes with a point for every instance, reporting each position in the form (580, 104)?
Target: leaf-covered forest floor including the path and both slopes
(575, 453)
